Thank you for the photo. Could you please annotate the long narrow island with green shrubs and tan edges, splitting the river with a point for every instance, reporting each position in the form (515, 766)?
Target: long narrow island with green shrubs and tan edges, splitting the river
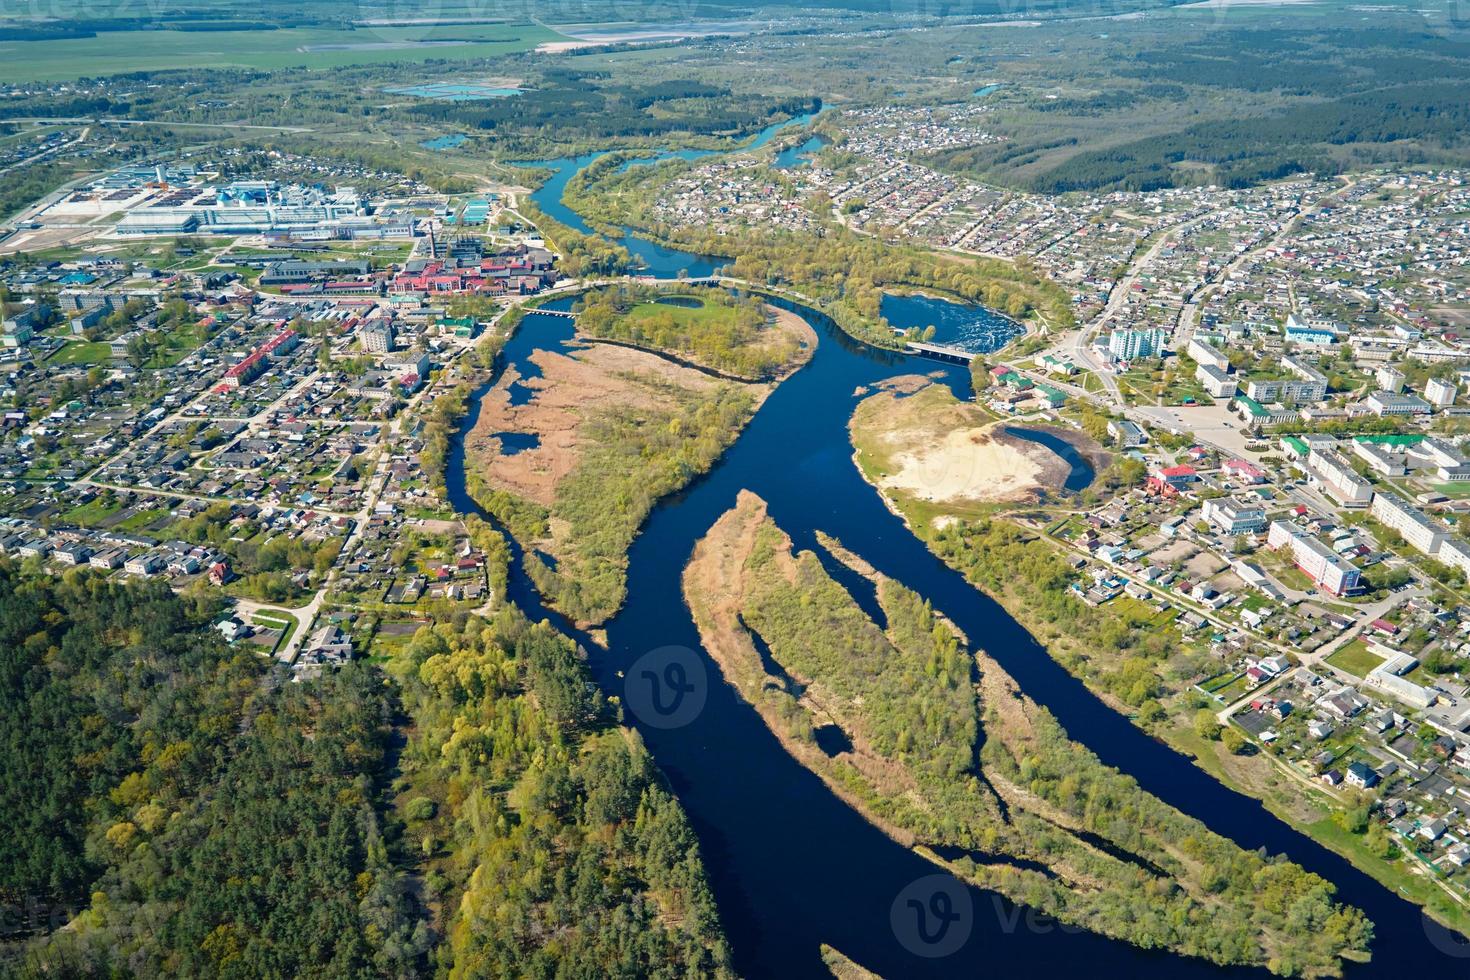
(946, 754)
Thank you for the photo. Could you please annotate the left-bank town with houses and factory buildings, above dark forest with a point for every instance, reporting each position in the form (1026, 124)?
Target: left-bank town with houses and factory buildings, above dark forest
(227, 389)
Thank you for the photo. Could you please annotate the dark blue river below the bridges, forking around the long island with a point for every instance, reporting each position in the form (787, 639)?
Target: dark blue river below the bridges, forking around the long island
(792, 865)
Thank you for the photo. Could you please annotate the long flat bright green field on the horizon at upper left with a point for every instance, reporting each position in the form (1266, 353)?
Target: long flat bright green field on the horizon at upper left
(112, 54)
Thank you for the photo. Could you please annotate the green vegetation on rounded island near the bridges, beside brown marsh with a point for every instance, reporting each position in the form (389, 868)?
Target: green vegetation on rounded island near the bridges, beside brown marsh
(636, 452)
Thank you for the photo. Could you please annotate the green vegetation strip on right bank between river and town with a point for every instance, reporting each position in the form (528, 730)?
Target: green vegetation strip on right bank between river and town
(1141, 666)
